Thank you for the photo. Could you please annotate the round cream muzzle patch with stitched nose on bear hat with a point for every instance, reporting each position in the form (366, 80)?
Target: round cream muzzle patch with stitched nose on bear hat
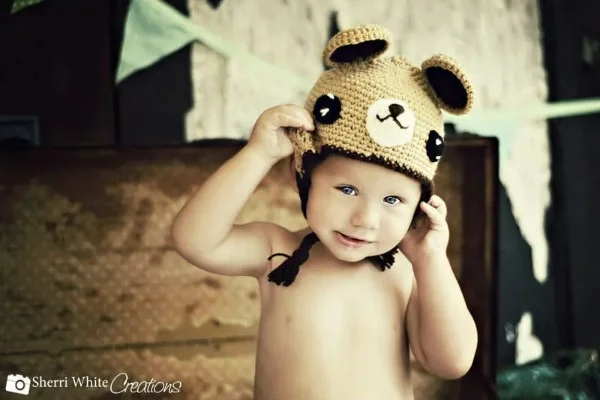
(390, 122)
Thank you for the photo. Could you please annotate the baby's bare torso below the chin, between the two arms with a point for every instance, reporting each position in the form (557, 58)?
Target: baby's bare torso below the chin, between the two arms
(333, 330)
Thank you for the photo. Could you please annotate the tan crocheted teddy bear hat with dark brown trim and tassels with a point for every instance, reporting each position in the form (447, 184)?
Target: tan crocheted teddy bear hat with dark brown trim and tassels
(377, 109)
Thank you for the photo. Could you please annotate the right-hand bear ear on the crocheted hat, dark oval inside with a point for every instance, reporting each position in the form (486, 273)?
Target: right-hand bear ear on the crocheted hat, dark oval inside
(449, 82)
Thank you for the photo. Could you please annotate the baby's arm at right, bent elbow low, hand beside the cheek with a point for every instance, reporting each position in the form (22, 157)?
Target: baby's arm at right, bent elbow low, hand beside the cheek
(441, 330)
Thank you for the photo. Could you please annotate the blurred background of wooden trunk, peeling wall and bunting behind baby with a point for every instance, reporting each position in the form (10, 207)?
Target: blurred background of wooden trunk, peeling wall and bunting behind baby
(113, 112)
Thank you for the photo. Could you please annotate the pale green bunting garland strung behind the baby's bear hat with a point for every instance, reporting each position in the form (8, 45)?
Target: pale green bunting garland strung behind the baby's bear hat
(154, 30)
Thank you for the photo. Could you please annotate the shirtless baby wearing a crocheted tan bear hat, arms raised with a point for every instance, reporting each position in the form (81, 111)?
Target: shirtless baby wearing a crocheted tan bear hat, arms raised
(344, 300)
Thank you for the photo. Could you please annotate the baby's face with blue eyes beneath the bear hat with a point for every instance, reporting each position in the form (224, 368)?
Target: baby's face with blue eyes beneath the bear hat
(359, 209)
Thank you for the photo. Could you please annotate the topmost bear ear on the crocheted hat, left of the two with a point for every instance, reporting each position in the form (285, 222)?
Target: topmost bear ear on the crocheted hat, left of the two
(362, 43)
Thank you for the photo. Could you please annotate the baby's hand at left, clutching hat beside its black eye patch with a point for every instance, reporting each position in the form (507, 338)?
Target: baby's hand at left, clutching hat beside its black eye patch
(269, 134)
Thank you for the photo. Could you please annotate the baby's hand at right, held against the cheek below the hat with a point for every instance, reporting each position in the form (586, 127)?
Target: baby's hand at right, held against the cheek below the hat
(430, 237)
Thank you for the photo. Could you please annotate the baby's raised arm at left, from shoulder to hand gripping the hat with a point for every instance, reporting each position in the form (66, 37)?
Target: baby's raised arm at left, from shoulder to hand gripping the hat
(204, 232)
